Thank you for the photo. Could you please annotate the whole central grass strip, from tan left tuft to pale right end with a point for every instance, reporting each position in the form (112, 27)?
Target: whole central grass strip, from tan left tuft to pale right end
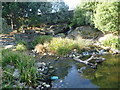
(63, 46)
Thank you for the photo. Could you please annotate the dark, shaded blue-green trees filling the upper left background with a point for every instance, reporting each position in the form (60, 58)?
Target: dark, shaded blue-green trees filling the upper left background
(33, 13)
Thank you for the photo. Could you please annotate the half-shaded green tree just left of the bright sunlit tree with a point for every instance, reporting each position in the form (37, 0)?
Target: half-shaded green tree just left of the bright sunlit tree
(83, 14)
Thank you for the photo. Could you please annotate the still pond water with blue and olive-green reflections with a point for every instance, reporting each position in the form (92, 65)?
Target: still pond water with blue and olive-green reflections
(105, 76)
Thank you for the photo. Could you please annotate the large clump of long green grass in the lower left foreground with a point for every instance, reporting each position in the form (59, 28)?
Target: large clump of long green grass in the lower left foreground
(21, 61)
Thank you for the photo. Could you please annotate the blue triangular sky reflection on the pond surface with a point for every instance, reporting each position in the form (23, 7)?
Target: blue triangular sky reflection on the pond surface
(73, 80)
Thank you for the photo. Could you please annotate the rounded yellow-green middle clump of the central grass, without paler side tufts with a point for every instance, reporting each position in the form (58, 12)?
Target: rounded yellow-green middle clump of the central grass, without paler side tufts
(61, 46)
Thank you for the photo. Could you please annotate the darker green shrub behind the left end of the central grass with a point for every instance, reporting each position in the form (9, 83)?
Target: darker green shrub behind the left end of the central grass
(41, 40)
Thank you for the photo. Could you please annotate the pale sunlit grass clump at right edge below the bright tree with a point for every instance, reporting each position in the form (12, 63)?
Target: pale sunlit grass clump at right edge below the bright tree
(111, 41)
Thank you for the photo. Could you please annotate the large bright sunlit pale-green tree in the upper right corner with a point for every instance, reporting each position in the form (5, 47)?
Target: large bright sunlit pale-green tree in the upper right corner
(106, 17)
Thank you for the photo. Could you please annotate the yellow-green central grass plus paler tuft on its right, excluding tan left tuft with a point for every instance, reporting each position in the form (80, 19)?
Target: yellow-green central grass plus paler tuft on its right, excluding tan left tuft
(63, 46)
